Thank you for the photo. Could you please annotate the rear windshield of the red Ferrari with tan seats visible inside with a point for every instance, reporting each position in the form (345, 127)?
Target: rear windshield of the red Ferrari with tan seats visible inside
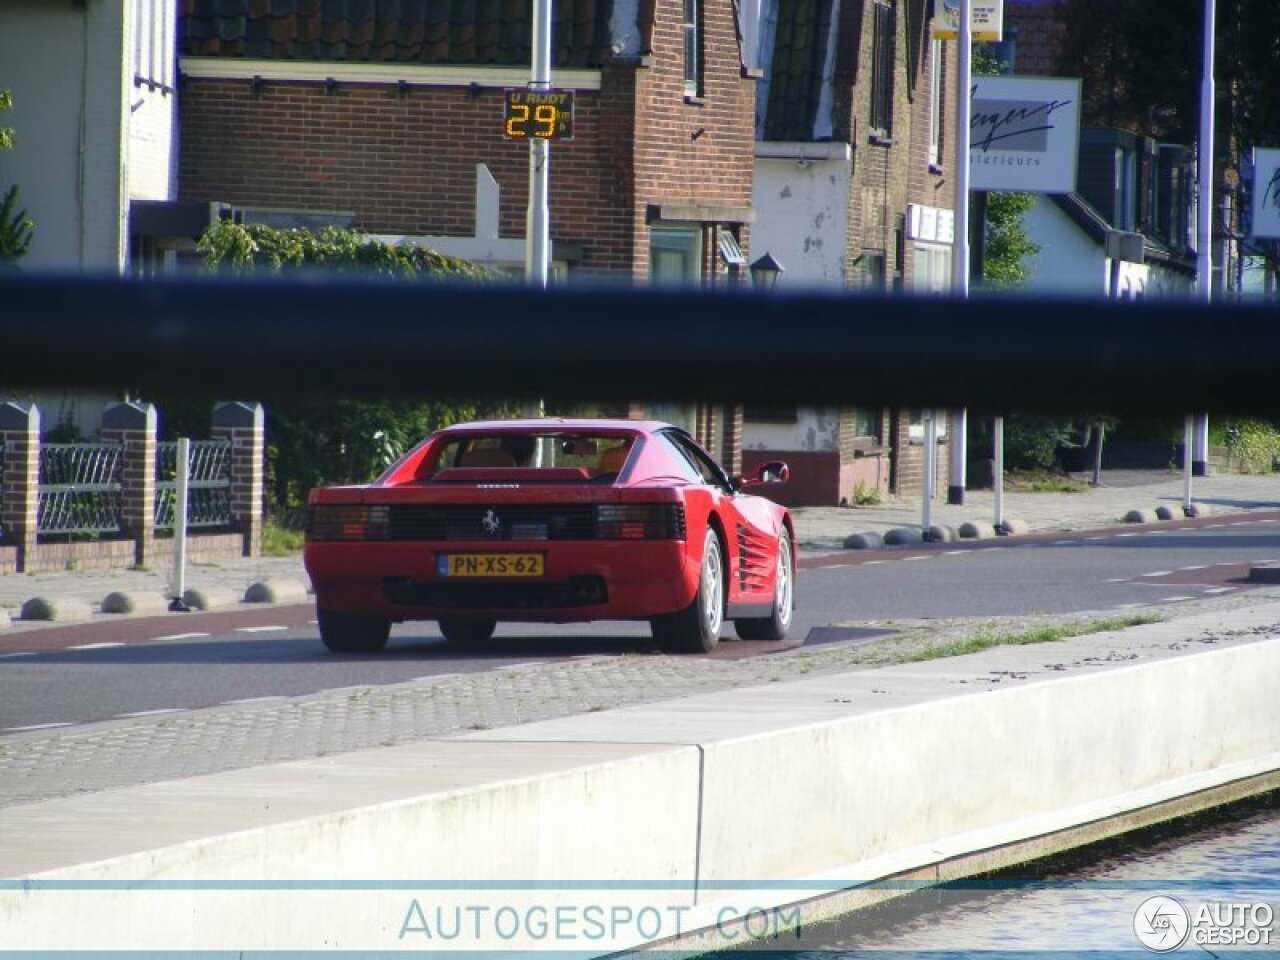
(531, 458)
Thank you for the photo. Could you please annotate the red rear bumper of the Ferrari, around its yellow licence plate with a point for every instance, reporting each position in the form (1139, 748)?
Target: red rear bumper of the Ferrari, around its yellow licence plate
(611, 580)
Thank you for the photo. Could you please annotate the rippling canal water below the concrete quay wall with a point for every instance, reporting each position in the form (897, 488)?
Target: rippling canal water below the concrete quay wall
(1224, 876)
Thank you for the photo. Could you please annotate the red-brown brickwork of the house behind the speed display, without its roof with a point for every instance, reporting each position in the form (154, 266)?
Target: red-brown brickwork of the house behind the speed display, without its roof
(406, 164)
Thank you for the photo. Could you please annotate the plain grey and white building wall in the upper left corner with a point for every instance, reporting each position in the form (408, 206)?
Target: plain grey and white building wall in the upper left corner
(89, 138)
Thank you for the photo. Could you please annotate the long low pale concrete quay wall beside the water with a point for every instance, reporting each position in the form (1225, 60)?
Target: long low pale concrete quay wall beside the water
(824, 784)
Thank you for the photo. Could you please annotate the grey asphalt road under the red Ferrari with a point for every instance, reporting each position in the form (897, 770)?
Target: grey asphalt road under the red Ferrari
(104, 671)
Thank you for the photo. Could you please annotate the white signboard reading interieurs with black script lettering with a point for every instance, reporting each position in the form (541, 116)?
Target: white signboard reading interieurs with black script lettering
(1025, 134)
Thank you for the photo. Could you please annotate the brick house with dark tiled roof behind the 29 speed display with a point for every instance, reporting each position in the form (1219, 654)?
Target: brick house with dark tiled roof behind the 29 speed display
(387, 117)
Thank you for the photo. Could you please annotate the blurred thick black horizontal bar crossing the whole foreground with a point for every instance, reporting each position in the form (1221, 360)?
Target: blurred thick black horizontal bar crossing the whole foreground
(266, 337)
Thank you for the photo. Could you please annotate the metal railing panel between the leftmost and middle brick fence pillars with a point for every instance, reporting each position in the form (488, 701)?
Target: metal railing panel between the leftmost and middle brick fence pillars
(80, 488)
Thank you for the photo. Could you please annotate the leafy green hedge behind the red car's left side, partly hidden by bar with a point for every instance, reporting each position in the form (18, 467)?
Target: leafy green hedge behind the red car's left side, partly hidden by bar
(335, 440)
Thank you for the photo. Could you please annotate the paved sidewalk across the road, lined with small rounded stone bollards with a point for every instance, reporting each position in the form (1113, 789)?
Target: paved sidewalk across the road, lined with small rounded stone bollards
(83, 595)
